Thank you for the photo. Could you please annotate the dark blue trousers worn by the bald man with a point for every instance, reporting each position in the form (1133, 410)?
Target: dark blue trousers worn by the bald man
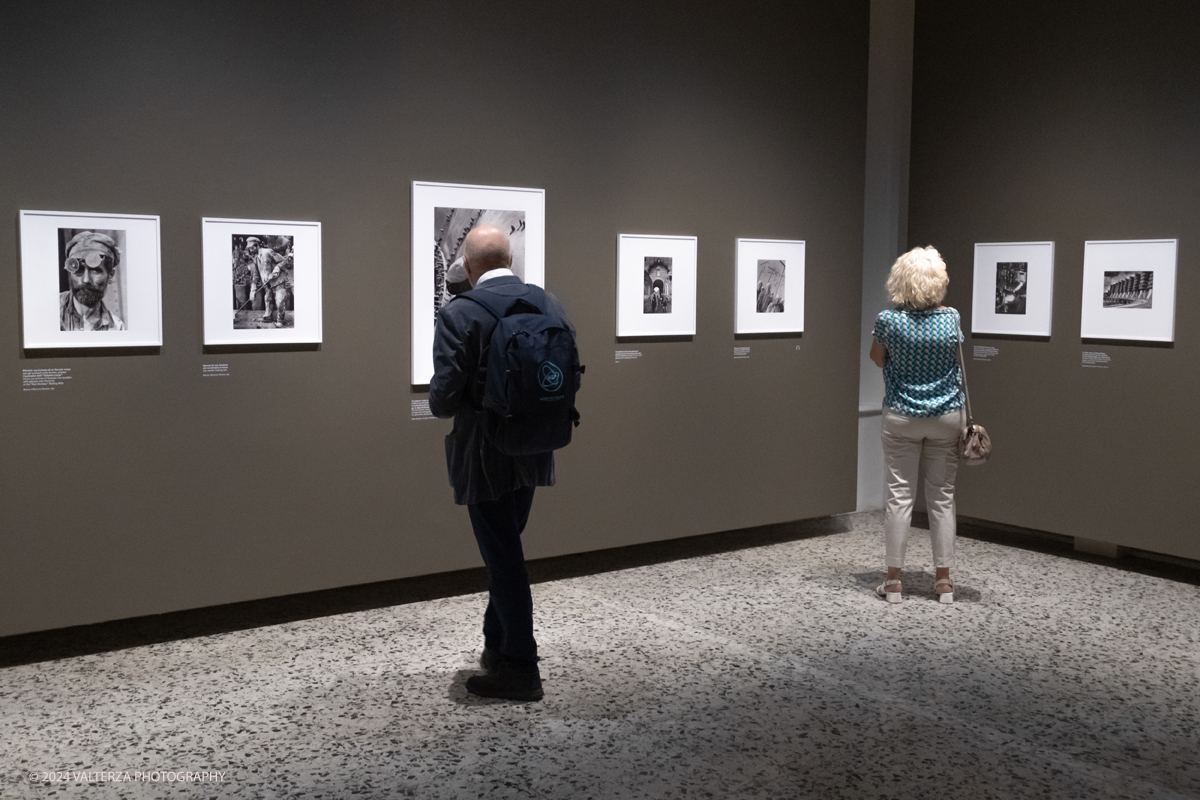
(508, 622)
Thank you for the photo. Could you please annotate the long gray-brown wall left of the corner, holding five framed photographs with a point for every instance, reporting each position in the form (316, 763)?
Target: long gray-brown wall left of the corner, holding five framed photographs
(140, 488)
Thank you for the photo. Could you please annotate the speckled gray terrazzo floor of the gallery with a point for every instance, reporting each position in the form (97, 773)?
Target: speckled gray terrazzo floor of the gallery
(765, 673)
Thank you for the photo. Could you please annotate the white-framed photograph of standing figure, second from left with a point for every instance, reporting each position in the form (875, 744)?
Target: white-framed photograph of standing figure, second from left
(262, 282)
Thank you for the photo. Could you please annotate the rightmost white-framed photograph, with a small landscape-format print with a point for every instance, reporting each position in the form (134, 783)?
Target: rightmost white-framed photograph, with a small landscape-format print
(1130, 291)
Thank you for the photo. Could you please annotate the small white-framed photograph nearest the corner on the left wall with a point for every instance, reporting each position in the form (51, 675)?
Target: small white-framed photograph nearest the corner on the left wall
(770, 291)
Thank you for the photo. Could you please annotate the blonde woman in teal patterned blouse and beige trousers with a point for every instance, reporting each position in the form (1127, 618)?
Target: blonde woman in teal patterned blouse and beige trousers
(916, 345)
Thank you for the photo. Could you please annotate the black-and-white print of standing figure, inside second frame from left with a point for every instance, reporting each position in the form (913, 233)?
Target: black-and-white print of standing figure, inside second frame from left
(263, 279)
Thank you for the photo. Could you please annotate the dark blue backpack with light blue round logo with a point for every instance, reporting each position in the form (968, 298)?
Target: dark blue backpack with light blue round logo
(531, 372)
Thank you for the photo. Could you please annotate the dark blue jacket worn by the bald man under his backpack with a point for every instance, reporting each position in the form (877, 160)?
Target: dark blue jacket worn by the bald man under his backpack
(478, 472)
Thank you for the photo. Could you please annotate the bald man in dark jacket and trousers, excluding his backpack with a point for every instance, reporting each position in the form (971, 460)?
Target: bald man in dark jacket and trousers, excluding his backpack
(497, 489)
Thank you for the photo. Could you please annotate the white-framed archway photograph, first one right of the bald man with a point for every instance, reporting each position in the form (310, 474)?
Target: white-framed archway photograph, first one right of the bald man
(656, 286)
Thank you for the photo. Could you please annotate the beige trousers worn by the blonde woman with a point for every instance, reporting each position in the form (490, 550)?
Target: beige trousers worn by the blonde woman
(925, 444)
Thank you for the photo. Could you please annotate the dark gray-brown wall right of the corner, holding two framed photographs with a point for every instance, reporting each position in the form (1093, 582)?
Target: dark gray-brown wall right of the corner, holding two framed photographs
(1069, 123)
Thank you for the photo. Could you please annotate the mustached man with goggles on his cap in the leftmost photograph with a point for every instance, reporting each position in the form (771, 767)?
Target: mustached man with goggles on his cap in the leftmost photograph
(91, 263)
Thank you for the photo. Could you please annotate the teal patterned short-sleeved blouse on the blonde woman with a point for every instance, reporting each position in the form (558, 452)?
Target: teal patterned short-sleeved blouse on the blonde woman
(921, 372)
